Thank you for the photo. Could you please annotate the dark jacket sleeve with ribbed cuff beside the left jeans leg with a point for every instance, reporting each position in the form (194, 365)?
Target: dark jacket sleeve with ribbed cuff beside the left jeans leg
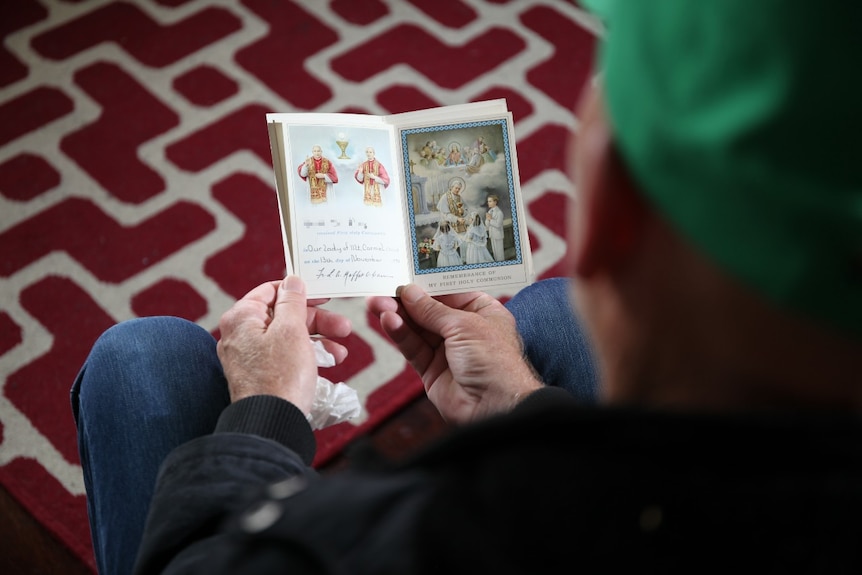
(257, 441)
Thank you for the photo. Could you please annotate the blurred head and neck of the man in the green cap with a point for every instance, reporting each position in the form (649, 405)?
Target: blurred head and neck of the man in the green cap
(717, 232)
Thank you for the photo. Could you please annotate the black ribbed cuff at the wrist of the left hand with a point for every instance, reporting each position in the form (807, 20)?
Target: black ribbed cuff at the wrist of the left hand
(272, 418)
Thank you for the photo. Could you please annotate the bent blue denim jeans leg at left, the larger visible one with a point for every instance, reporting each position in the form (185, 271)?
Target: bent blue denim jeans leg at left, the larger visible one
(148, 386)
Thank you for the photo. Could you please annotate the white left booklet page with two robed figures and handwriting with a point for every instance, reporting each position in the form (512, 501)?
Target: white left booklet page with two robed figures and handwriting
(345, 204)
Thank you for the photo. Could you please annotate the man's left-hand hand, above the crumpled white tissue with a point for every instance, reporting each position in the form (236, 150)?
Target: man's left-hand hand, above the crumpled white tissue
(265, 346)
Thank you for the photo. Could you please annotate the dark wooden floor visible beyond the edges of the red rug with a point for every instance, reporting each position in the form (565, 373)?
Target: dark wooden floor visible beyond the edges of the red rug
(26, 549)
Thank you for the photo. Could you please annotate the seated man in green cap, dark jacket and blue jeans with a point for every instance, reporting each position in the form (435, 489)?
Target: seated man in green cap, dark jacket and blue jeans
(729, 436)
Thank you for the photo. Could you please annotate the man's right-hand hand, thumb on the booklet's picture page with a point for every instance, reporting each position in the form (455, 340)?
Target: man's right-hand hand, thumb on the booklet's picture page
(465, 347)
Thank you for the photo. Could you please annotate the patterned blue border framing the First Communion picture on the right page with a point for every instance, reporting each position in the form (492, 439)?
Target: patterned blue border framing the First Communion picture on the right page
(504, 128)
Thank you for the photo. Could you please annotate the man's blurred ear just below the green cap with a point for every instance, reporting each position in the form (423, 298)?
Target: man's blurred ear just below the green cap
(607, 216)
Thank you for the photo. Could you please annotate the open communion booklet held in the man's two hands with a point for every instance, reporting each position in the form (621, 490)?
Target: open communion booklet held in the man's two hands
(432, 197)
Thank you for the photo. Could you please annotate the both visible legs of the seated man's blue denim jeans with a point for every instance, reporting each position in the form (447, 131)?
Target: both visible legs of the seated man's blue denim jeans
(152, 384)
